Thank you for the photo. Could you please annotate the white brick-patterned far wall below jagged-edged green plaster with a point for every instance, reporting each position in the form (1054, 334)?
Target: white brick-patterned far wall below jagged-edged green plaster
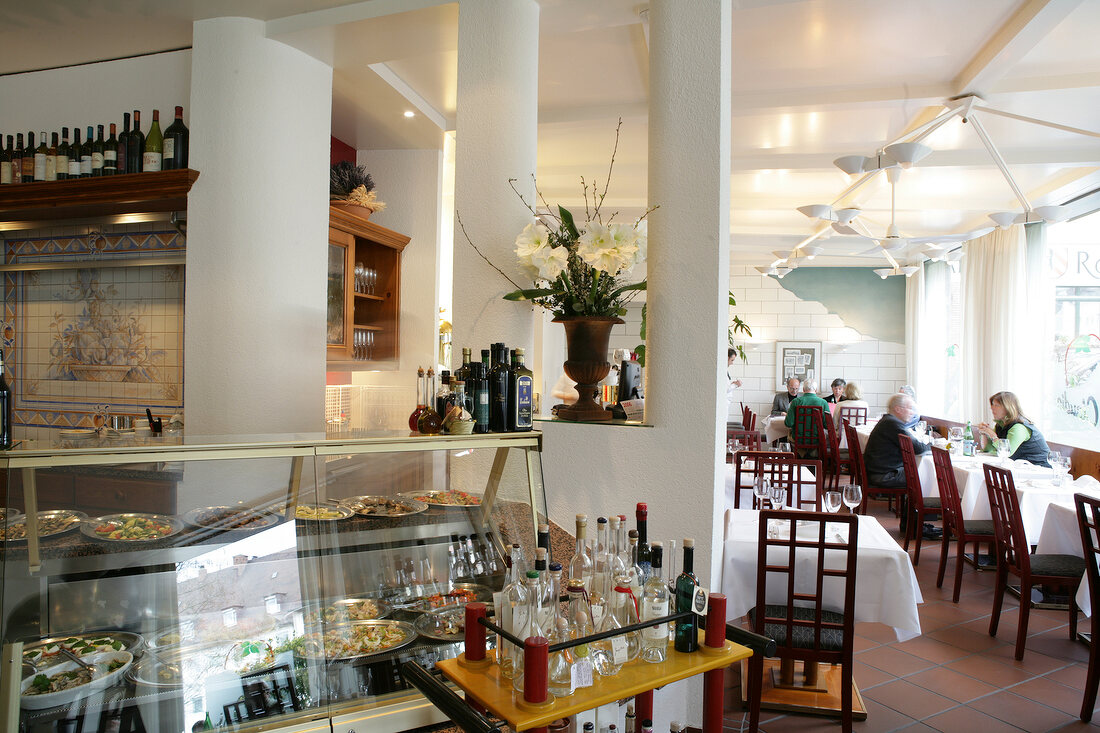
(777, 314)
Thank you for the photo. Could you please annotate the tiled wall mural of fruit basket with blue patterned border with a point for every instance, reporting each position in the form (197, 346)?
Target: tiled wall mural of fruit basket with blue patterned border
(87, 338)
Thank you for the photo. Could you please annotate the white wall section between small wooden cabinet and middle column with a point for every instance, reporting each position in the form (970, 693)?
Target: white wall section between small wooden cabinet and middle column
(410, 182)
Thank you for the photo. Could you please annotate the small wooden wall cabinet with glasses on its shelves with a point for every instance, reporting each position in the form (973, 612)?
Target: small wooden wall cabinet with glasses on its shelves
(362, 329)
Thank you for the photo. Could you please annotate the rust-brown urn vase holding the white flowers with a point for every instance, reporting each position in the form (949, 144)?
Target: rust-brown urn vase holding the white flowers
(587, 338)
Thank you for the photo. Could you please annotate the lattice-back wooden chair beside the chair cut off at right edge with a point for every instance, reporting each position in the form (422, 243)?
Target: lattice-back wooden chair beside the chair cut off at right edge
(1061, 572)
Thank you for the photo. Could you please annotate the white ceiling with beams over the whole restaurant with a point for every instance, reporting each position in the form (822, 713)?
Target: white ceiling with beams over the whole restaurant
(812, 80)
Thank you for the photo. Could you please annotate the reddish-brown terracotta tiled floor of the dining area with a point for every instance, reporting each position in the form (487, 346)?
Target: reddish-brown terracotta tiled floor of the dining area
(955, 679)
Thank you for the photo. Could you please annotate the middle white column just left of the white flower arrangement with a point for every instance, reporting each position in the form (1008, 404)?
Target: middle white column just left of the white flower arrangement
(497, 139)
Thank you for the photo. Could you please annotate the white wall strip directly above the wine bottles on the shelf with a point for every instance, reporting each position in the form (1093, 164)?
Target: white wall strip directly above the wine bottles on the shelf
(96, 94)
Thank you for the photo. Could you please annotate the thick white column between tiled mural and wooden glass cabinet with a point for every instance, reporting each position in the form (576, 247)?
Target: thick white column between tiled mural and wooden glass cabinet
(258, 226)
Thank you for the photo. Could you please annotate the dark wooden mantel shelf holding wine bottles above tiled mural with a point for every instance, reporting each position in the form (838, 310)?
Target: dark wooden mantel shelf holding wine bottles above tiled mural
(106, 196)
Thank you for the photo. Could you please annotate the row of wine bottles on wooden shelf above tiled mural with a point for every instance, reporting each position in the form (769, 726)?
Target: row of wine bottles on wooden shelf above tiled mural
(130, 151)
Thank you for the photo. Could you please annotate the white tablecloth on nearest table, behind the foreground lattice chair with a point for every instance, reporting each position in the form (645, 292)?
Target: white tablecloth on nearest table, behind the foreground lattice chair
(886, 586)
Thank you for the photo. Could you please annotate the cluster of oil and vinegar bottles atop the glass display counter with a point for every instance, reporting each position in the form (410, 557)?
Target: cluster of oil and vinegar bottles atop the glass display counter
(493, 396)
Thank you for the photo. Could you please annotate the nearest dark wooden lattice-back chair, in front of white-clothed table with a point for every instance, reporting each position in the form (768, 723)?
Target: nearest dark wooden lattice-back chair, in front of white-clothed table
(806, 627)
